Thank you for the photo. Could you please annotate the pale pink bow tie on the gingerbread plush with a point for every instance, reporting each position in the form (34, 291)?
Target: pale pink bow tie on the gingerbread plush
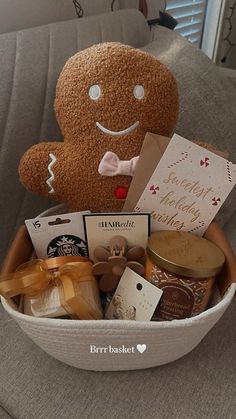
(111, 165)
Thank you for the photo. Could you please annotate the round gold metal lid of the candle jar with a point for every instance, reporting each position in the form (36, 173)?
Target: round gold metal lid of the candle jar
(185, 254)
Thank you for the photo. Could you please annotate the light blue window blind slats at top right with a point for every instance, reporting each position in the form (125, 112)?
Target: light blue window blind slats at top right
(190, 15)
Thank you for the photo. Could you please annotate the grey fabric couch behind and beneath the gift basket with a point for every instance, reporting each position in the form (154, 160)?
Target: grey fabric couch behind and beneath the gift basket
(33, 385)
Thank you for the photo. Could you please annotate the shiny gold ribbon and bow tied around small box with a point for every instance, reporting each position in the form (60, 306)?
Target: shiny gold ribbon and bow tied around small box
(78, 289)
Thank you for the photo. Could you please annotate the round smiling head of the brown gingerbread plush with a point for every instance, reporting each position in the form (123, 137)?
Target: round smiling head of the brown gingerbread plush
(111, 88)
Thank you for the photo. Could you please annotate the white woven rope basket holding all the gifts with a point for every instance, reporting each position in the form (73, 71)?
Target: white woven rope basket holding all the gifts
(70, 341)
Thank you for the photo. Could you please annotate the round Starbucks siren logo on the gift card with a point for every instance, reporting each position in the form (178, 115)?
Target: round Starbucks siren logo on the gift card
(67, 246)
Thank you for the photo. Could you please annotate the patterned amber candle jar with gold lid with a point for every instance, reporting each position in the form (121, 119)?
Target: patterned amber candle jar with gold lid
(184, 266)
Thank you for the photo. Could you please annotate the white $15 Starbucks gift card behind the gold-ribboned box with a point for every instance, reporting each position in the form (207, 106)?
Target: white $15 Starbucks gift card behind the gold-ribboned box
(58, 235)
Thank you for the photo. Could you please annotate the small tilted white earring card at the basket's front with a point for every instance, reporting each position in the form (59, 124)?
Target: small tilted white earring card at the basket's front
(135, 298)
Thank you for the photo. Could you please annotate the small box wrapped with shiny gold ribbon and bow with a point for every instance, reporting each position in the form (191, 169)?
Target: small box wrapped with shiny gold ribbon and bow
(56, 288)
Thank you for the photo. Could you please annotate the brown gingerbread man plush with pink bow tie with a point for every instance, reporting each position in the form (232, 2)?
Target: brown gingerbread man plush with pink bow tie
(107, 98)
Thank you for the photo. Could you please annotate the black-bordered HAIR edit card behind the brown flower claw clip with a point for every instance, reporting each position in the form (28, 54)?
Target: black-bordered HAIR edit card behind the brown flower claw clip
(101, 228)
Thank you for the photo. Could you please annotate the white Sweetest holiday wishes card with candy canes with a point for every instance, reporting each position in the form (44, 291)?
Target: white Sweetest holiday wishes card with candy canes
(187, 188)
